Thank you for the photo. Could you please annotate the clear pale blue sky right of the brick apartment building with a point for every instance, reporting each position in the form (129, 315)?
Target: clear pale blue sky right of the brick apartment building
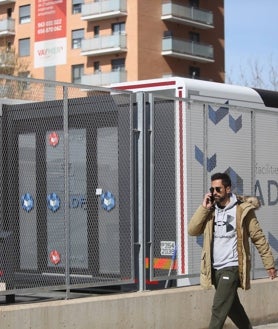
(251, 35)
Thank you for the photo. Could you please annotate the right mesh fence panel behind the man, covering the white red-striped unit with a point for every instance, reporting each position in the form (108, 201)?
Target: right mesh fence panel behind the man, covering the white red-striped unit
(189, 141)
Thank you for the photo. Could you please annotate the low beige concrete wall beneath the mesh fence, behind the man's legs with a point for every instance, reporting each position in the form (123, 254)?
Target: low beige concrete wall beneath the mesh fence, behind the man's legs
(175, 308)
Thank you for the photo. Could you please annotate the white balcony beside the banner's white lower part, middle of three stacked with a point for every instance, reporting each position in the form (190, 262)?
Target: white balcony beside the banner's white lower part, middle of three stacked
(111, 44)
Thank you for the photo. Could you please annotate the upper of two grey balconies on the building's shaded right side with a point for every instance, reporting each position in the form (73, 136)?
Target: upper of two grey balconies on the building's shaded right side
(187, 15)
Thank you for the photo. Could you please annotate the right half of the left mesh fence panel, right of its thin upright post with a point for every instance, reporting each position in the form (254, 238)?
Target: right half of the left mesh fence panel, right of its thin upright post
(101, 221)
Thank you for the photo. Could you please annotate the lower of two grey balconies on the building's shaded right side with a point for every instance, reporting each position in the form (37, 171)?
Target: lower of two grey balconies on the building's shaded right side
(189, 50)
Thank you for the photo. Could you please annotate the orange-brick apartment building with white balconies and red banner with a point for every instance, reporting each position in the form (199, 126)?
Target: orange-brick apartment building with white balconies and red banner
(108, 41)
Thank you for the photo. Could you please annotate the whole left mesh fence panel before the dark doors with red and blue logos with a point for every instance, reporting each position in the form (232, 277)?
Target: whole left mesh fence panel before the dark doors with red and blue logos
(66, 188)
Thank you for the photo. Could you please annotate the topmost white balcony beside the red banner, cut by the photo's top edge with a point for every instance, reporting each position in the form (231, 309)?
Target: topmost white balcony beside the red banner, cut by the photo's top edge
(103, 9)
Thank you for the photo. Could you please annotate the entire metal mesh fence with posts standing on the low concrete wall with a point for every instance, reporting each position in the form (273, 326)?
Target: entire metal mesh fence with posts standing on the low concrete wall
(97, 186)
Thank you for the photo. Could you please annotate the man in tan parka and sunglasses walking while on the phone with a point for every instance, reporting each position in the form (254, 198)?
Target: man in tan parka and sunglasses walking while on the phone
(227, 222)
